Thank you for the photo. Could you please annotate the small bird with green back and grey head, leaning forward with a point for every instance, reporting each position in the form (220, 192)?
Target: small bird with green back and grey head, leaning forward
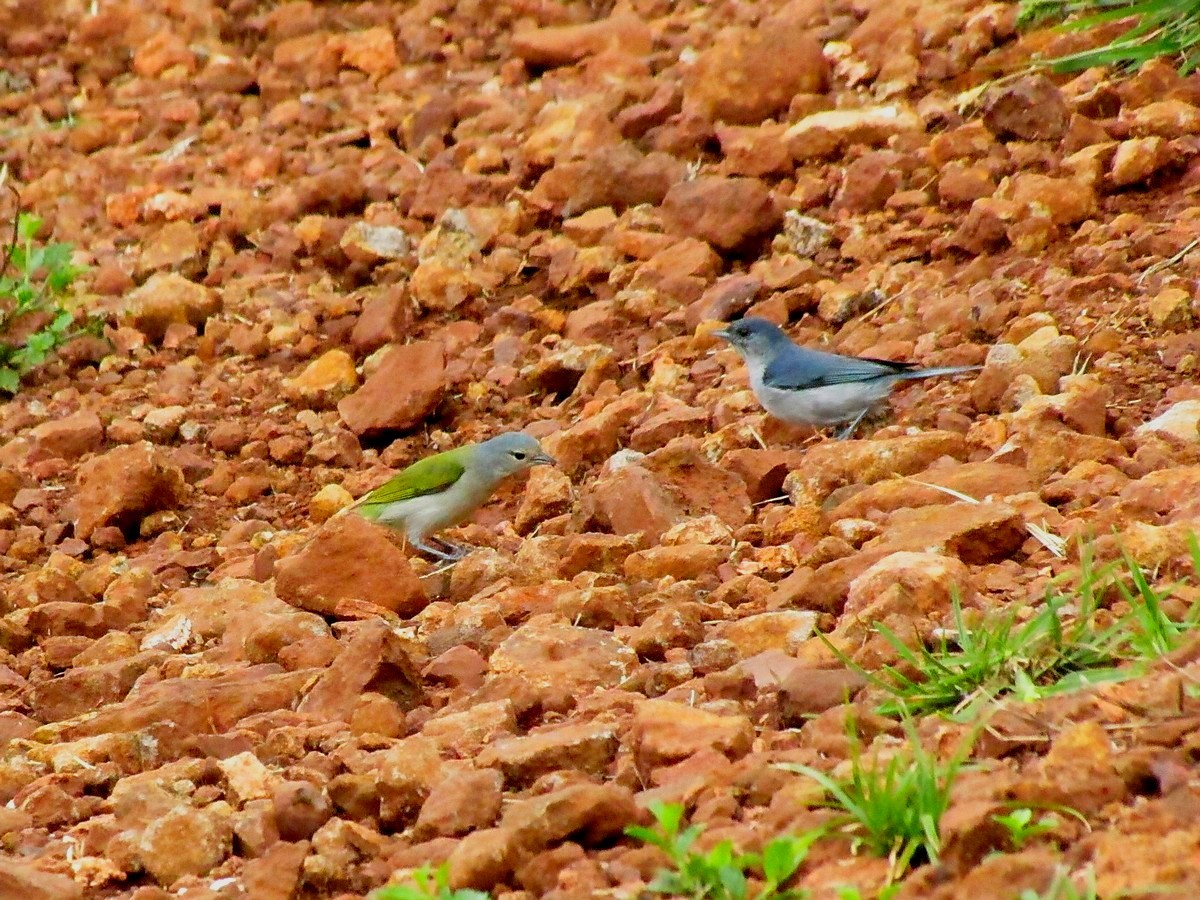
(443, 490)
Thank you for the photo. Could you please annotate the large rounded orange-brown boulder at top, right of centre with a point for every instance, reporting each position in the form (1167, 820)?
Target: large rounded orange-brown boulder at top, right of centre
(751, 75)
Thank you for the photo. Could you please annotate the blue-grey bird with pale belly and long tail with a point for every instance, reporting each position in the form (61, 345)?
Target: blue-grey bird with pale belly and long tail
(805, 387)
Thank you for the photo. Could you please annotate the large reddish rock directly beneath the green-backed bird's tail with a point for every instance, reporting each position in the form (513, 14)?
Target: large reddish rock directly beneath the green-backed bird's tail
(350, 560)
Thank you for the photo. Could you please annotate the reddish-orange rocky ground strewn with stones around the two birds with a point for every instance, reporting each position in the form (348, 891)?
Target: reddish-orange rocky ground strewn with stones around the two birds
(328, 238)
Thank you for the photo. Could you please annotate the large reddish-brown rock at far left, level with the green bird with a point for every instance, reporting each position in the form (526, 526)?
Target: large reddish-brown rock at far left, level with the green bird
(123, 487)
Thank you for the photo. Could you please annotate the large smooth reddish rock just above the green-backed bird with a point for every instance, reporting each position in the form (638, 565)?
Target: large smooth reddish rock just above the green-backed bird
(404, 391)
